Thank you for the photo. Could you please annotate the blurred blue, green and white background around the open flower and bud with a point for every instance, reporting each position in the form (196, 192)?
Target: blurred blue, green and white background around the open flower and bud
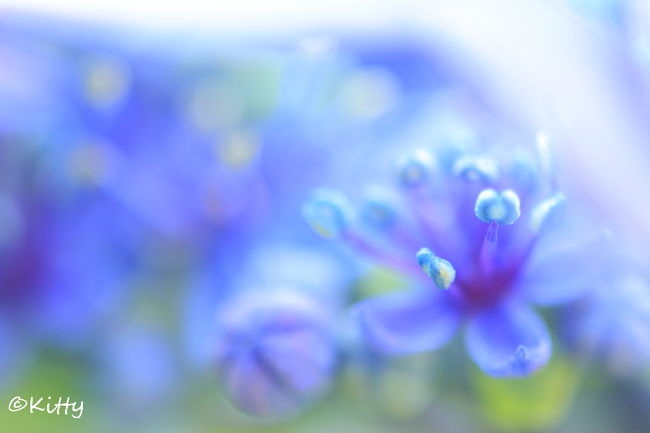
(153, 165)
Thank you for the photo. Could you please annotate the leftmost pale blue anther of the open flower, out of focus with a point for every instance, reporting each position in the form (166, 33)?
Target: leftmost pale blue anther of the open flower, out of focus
(328, 212)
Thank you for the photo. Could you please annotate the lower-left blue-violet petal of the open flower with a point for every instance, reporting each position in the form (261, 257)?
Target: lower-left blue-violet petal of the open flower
(408, 322)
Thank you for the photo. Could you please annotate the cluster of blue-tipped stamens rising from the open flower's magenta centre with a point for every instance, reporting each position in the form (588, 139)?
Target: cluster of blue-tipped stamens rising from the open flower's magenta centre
(433, 224)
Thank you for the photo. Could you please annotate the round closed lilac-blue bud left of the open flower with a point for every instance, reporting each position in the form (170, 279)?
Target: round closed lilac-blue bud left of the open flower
(275, 352)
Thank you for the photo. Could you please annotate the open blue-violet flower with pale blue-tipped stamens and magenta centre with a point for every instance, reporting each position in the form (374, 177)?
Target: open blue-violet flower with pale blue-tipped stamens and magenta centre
(484, 232)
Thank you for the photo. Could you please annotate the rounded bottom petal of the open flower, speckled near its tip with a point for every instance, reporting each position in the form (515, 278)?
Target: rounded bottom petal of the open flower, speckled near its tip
(508, 341)
